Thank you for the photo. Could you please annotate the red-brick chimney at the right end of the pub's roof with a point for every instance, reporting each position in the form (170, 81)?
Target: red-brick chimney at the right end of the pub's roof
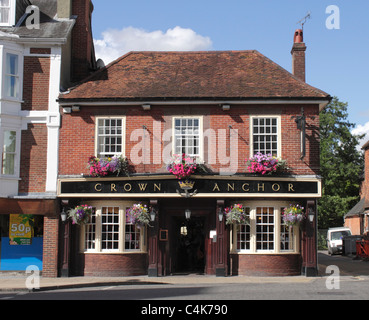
(298, 55)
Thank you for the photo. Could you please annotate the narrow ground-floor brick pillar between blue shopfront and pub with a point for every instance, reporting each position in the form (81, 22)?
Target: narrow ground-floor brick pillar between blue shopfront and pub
(50, 250)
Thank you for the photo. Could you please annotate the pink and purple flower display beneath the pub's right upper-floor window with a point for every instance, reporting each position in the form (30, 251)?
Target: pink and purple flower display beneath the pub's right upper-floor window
(265, 164)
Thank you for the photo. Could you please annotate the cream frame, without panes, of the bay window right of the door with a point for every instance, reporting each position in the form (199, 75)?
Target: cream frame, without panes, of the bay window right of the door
(277, 207)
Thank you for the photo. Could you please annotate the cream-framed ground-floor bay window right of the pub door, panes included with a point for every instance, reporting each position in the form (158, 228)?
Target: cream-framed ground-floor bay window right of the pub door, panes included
(266, 232)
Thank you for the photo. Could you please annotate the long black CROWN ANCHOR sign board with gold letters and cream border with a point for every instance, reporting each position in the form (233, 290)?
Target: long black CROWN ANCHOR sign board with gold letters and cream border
(205, 186)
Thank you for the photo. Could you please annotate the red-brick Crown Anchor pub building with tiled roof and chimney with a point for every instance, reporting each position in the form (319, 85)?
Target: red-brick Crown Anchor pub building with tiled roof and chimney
(220, 107)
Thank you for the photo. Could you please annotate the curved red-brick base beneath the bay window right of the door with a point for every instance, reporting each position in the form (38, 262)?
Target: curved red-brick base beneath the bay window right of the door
(266, 265)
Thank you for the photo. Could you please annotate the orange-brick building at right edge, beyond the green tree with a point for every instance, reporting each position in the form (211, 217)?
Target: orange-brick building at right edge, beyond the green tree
(357, 219)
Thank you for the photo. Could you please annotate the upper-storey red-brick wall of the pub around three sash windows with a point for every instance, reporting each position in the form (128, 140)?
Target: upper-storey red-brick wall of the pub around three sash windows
(77, 135)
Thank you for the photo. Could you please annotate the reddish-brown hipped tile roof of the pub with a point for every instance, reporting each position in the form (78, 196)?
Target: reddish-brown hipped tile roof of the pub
(203, 75)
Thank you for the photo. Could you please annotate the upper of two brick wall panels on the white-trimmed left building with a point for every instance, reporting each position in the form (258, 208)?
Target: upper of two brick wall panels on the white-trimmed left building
(36, 83)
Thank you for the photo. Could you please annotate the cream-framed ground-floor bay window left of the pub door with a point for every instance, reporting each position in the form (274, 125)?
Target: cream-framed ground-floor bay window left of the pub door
(109, 231)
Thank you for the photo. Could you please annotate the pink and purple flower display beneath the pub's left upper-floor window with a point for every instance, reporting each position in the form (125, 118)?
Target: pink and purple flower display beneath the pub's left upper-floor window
(101, 167)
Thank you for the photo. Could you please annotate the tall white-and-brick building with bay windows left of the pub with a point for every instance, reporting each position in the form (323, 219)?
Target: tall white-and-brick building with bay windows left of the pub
(45, 46)
